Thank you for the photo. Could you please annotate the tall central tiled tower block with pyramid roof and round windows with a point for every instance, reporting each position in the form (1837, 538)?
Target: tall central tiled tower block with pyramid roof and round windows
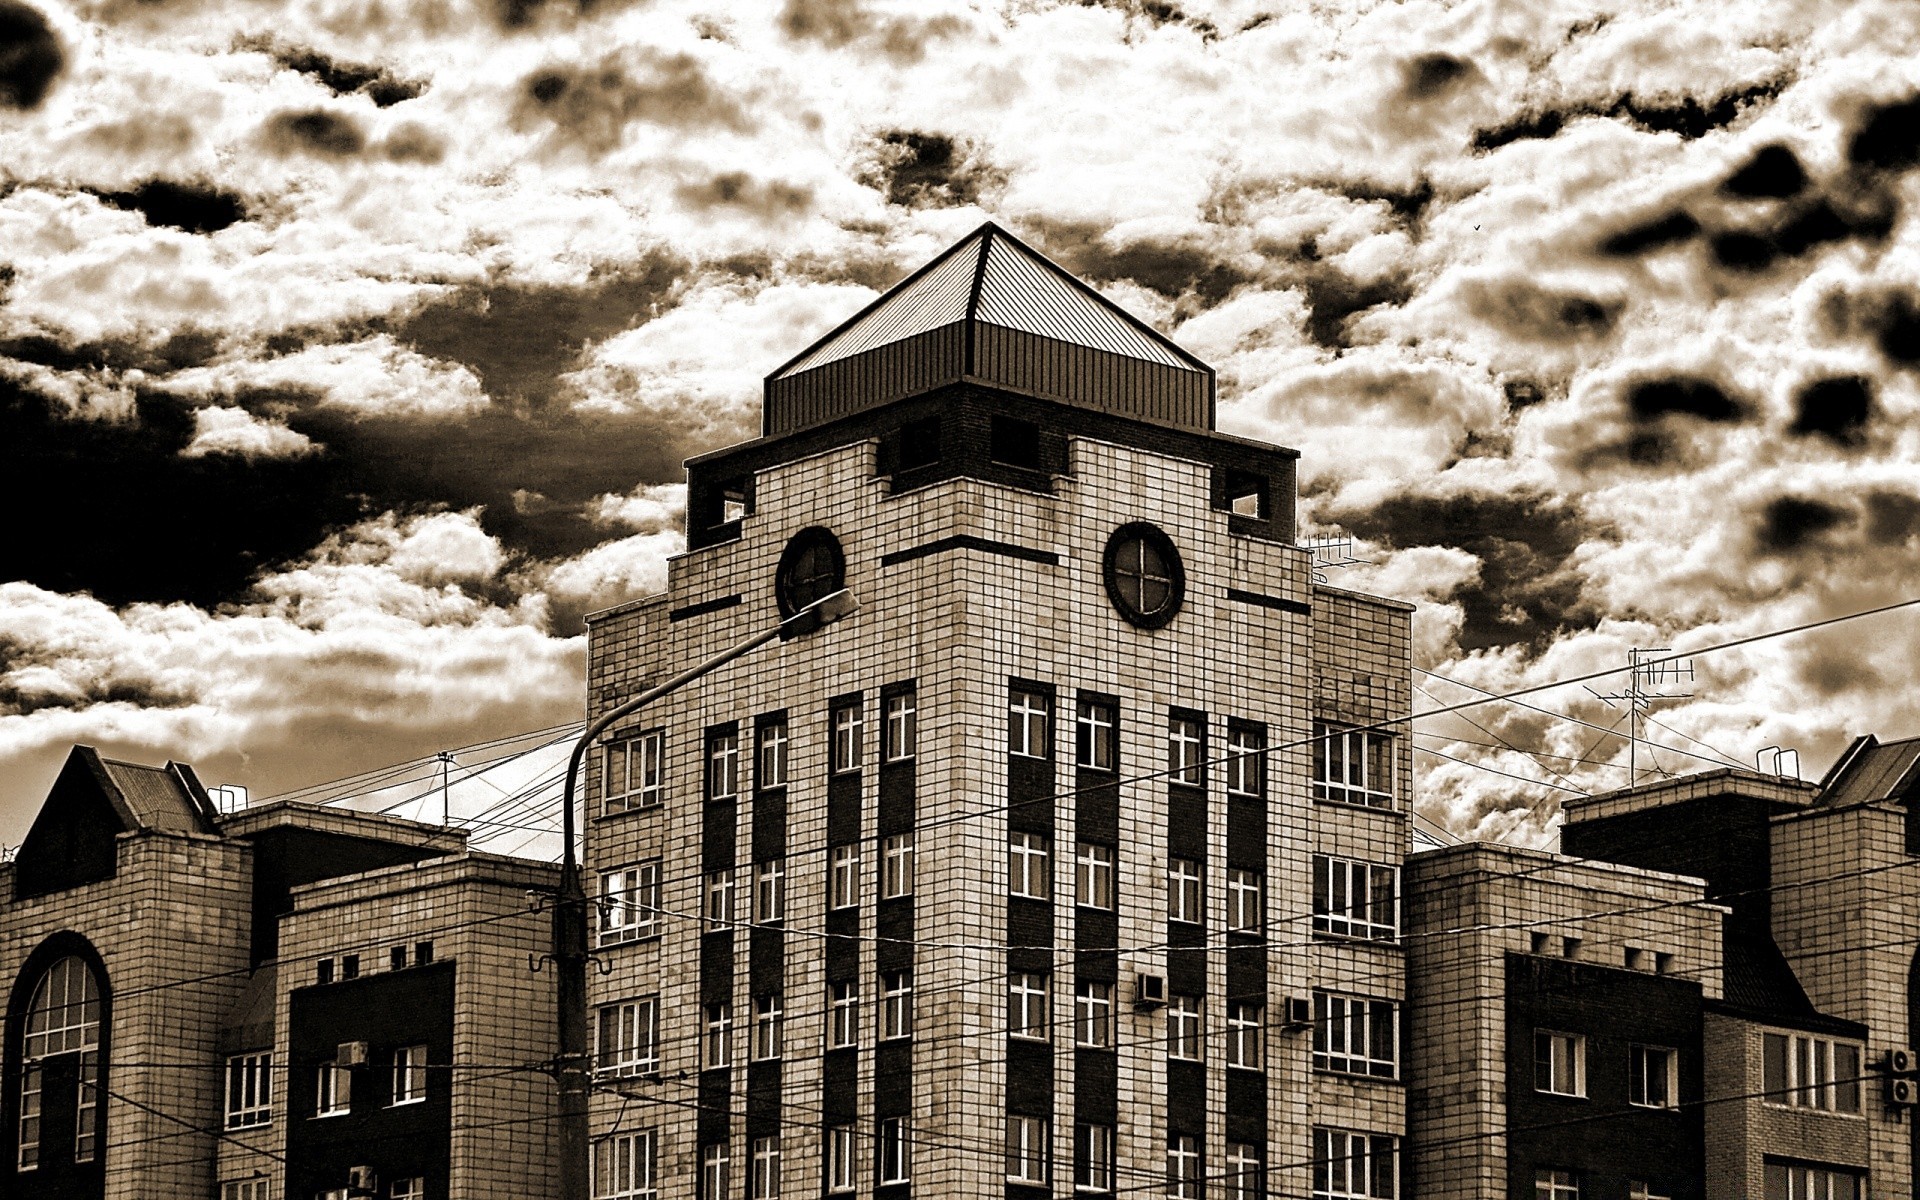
(1068, 863)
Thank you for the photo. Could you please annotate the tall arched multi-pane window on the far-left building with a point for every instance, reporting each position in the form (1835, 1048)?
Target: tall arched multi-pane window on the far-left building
(62, 1019)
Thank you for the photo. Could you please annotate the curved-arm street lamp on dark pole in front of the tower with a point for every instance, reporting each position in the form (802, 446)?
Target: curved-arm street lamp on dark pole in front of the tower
(571, 907)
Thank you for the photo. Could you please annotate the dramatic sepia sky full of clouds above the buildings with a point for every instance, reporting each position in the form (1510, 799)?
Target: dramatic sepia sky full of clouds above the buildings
(350, 348)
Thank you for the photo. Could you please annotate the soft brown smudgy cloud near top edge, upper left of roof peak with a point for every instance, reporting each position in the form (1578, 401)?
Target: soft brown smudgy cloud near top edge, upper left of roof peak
(592, 105)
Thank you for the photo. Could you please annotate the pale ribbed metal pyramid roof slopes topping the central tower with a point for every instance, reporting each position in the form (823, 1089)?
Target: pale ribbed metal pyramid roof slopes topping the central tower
(996, 279)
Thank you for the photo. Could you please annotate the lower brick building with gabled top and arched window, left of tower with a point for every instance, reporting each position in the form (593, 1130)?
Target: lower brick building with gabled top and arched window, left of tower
(281, 1001)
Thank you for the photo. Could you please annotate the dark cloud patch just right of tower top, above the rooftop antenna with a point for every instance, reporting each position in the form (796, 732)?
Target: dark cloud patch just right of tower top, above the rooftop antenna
(1527, 590)
